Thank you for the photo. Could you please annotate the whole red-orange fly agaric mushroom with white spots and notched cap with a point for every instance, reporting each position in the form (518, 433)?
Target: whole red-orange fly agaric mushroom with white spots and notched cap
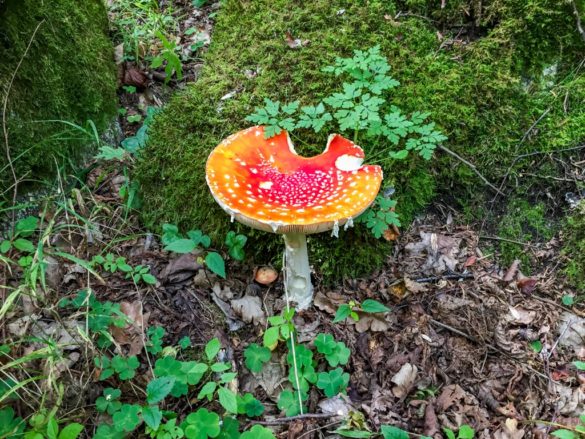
(264, 184)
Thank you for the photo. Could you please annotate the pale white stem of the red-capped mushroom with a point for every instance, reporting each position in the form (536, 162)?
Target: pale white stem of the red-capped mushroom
(298, 274)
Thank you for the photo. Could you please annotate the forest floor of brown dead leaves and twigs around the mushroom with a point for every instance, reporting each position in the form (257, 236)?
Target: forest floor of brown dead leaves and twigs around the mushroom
(467, 341)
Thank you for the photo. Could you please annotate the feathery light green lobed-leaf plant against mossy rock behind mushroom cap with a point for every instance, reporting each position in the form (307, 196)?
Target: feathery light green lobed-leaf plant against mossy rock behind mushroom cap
(361, 108)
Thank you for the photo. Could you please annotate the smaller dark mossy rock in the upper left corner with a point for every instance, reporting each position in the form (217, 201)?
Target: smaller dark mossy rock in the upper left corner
(68, 74)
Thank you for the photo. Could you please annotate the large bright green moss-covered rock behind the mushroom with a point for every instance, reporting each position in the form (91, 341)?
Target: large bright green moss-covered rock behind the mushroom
(482, 88)
